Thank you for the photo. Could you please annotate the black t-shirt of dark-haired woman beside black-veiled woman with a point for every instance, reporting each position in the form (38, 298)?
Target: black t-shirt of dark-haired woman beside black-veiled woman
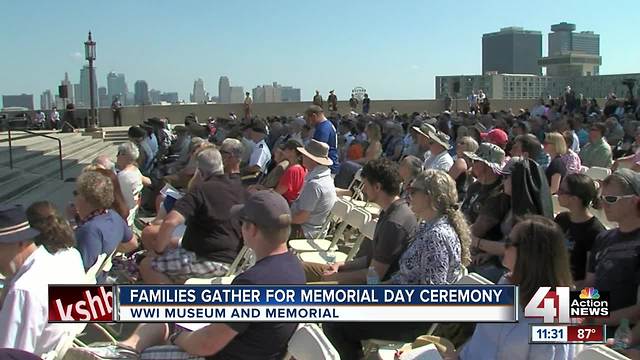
(580, 238)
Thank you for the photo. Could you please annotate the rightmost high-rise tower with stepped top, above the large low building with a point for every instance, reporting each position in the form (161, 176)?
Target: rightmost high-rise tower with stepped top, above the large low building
(572, 54)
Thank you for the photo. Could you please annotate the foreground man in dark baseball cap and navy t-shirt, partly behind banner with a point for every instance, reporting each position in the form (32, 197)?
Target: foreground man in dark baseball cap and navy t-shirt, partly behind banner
(266, 223)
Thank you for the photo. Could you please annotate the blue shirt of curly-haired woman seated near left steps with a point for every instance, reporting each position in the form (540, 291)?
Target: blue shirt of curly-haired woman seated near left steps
(102, 234)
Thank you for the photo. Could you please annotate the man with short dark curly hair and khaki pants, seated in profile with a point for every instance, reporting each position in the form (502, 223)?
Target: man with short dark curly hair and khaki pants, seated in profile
(396, 226)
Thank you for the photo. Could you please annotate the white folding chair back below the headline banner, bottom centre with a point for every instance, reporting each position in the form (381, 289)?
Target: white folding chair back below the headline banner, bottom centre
(310, 343)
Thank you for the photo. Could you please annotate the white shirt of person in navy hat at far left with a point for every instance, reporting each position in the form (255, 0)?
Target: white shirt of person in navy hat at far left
(25, 311)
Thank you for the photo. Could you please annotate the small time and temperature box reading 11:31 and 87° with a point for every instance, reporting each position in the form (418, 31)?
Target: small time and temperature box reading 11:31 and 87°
(567, 334)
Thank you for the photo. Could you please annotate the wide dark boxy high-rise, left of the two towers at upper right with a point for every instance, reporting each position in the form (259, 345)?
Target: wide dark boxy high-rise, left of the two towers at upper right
(512, 50)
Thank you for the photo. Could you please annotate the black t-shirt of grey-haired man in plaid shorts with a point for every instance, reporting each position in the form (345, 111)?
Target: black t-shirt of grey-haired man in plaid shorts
(211, 232)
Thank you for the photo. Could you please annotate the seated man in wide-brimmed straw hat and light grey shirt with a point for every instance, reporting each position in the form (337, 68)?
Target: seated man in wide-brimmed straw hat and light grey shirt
(318, 195)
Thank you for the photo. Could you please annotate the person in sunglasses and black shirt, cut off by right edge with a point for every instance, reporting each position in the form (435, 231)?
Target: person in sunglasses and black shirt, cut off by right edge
(614, 263)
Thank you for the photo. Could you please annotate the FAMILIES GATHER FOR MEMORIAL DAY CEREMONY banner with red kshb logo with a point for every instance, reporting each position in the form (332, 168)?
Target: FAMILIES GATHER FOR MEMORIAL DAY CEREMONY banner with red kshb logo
(224, 303)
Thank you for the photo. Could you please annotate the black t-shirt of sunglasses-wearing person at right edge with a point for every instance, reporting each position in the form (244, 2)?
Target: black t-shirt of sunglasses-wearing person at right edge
(615, 260)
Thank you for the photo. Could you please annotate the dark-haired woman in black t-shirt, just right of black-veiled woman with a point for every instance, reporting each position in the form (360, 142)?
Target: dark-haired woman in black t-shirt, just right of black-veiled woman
(576, 193)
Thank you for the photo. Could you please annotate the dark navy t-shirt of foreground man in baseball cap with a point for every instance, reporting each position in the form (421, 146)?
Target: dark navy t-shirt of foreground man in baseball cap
(264, 340)
